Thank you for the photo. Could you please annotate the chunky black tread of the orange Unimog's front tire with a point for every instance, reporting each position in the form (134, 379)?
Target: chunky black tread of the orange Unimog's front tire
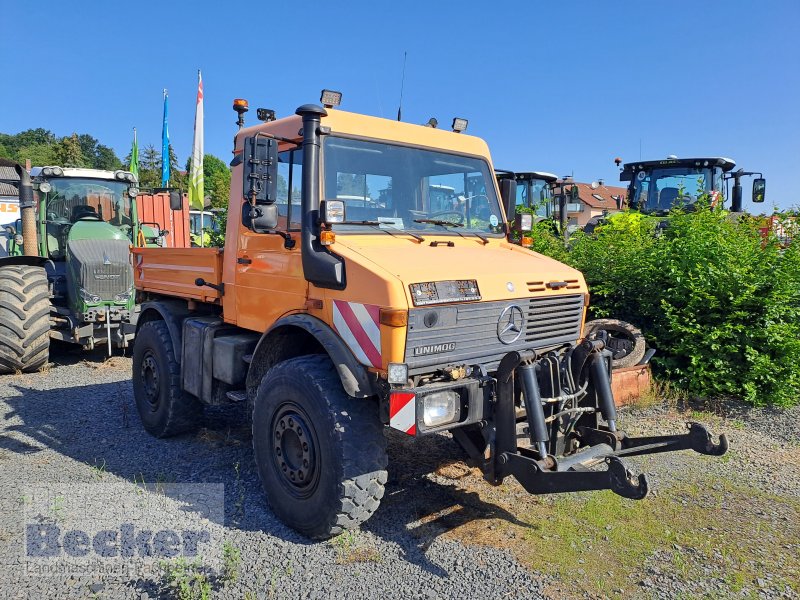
(358, 431)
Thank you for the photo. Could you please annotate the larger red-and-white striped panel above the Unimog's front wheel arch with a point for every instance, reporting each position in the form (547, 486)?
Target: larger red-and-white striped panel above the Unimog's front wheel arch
(360, 328)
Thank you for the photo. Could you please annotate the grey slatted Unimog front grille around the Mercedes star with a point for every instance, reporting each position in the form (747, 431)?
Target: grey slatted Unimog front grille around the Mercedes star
(468, 333)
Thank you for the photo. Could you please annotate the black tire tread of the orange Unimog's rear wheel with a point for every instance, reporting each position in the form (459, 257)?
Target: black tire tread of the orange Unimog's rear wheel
(184, 412)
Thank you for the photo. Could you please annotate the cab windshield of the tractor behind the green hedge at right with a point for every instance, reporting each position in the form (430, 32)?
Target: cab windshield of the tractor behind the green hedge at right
(663, 189)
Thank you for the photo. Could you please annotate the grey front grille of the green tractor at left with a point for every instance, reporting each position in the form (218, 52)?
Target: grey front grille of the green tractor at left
(101, 267)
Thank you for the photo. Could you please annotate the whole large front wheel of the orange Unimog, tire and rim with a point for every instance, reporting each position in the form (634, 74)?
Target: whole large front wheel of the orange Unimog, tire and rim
(320, 454)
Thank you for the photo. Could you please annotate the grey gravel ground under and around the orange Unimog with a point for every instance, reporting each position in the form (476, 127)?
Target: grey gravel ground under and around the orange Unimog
(76, 426)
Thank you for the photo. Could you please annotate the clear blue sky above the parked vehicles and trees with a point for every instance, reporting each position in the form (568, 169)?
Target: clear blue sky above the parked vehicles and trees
(556, 86)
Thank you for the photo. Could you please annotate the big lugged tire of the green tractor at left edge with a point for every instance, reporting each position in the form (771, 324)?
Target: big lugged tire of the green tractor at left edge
(24, 318)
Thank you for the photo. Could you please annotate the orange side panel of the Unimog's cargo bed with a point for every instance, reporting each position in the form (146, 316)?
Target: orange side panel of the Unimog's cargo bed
(173, 271)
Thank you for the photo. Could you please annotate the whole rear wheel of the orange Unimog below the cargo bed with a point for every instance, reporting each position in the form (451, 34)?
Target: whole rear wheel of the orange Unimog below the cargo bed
(164, 408)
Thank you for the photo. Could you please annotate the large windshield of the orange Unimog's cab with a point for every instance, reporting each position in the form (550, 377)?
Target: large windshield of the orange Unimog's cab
(407, 188)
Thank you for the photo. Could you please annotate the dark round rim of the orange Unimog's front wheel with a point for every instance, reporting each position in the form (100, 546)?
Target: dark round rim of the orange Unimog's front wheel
(294, 450)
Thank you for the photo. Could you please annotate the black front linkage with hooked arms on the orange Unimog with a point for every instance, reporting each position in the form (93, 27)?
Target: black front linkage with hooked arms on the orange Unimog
(545, 474)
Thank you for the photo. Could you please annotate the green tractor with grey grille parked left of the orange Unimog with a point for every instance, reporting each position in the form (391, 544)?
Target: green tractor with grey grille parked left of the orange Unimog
(68, 274)
